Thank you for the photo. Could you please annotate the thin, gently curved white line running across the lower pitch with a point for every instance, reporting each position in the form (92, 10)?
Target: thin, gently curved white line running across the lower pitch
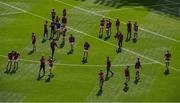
(81, 65)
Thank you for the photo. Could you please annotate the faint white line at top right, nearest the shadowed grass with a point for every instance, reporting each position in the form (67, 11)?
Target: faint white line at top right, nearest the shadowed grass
(135, 7)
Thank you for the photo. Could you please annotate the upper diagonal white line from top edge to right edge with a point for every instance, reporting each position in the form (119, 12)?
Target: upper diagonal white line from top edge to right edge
(97, 14)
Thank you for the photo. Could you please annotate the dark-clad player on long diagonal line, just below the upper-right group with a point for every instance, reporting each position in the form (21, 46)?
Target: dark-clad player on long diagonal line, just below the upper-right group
(119, 37)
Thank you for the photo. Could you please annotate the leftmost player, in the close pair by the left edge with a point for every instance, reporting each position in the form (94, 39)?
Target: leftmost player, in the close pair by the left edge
(10, 59)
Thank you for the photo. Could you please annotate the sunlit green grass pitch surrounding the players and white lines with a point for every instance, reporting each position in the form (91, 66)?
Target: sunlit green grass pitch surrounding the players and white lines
(80, 84)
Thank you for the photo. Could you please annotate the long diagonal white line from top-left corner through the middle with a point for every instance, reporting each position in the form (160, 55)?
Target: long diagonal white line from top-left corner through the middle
(132, 52)
